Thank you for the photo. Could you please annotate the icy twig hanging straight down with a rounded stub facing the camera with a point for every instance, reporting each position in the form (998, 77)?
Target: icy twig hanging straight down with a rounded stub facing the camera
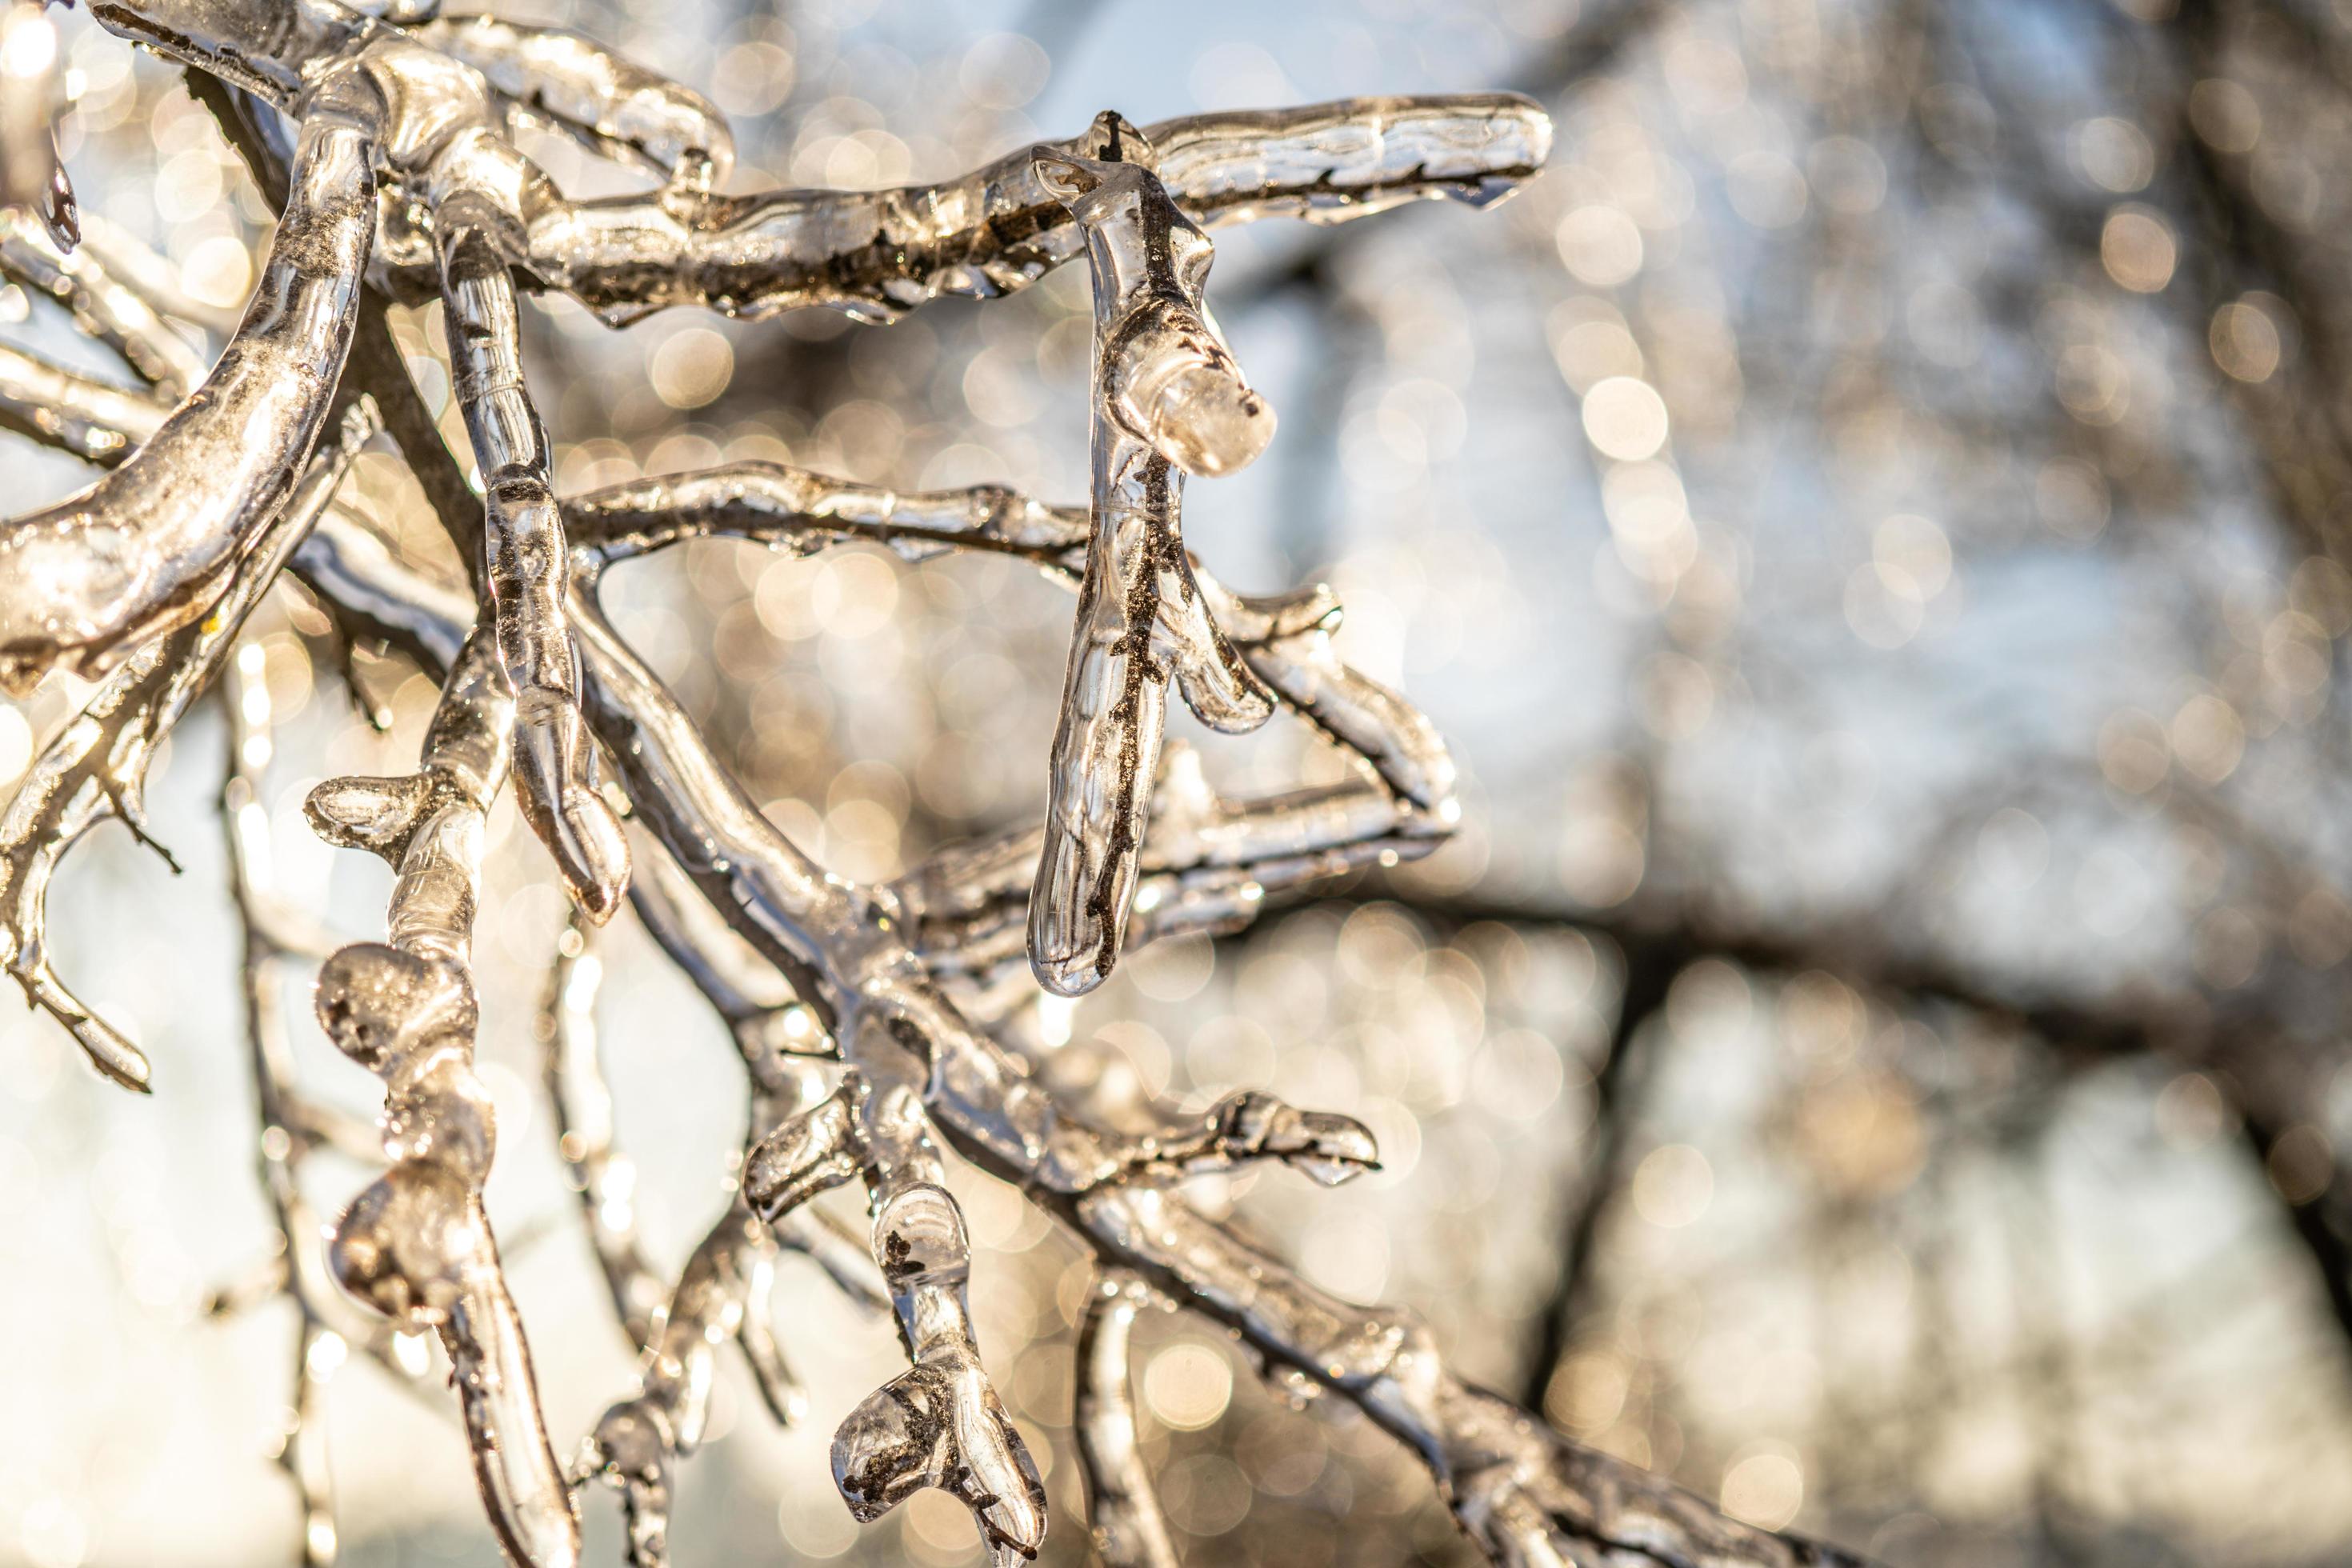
(1168, 401)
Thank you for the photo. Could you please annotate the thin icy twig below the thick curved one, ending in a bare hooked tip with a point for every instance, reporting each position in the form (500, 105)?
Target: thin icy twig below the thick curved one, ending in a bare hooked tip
(98, 765)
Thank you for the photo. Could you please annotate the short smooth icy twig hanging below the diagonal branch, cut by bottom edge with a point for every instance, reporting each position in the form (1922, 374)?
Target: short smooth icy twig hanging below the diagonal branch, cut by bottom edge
(1123, 1510)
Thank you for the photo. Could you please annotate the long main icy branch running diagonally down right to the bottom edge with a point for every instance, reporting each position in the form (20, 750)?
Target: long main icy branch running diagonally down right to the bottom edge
(1521, 1492)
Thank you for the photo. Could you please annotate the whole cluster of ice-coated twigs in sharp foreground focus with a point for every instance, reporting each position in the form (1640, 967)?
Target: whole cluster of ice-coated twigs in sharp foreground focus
(876, 1021)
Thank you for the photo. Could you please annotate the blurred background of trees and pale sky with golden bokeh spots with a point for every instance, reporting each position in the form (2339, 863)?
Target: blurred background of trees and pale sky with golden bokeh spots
(1873, 1052)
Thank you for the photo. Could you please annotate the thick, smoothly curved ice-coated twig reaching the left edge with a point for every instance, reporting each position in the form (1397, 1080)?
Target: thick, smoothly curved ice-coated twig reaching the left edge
(147, 547)
